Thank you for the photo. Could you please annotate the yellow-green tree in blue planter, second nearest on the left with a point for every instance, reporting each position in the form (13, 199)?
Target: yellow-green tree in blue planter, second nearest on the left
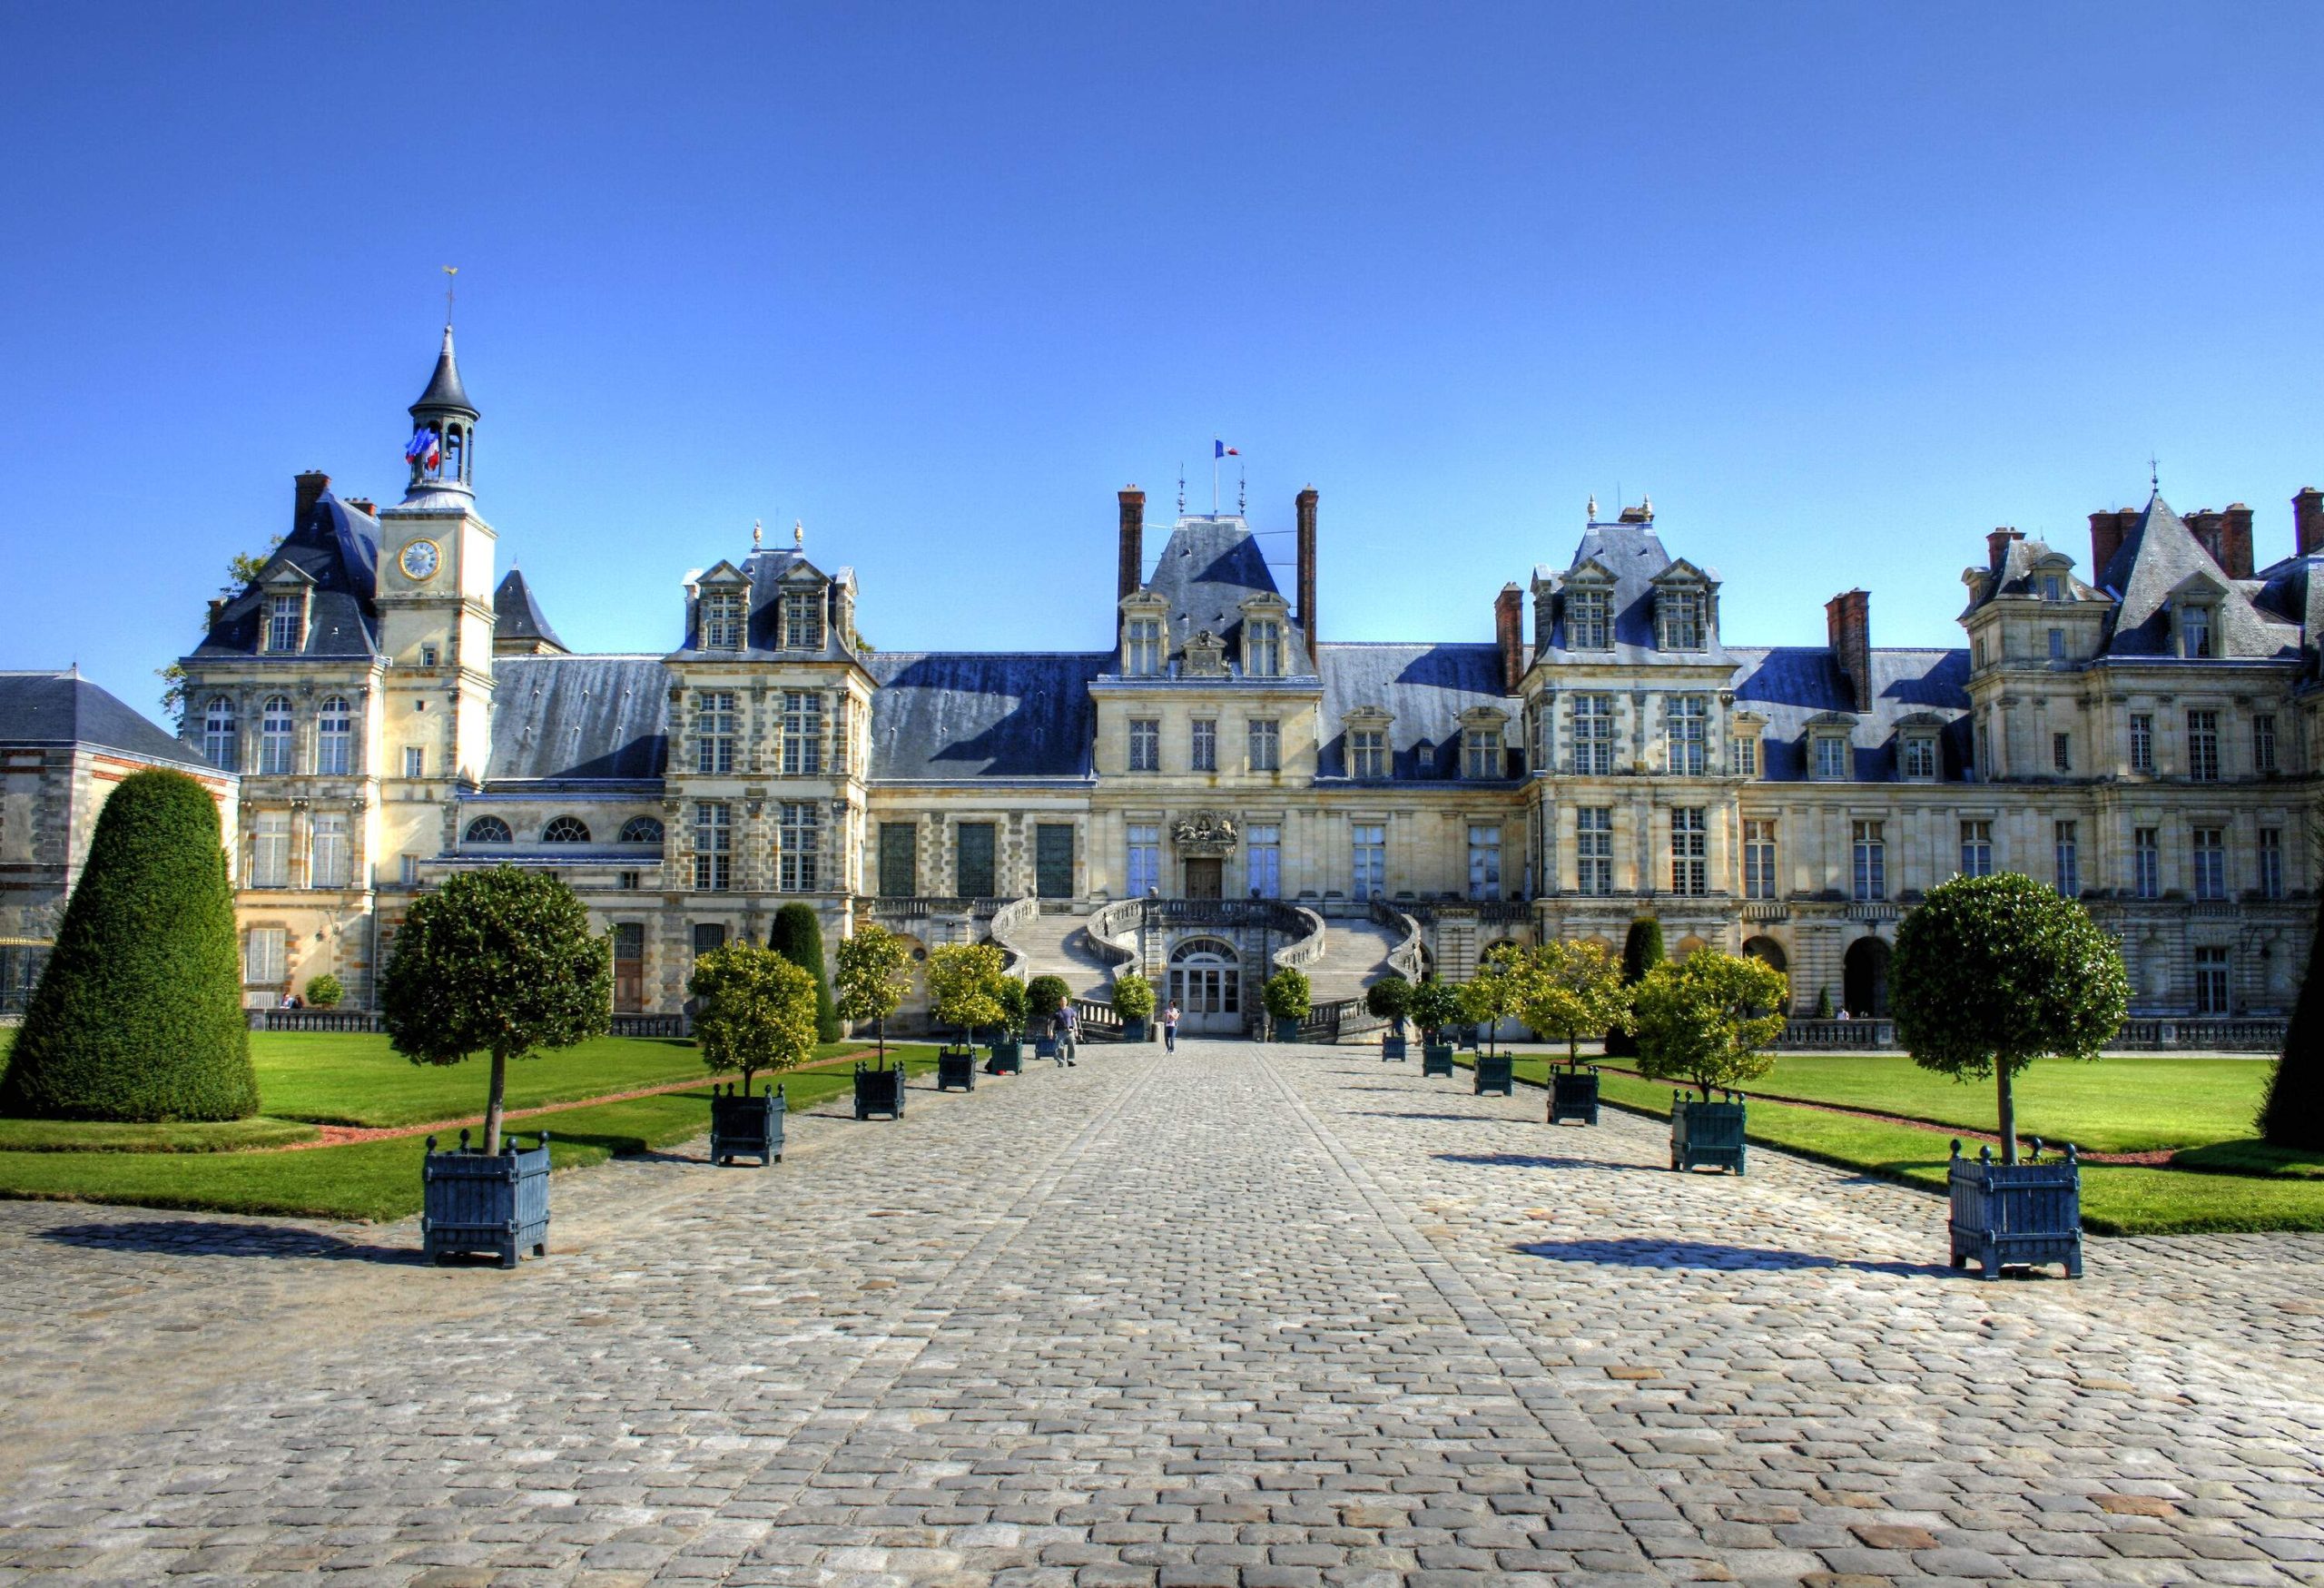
(754, 1010)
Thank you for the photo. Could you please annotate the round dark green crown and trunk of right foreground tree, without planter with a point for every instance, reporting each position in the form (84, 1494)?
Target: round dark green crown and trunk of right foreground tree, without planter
(2000, 971)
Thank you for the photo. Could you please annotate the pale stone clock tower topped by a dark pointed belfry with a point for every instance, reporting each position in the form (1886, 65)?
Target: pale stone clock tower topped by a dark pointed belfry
(436, 627)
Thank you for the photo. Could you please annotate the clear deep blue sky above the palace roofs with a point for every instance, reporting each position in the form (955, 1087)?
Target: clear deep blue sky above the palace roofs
(1842, 287)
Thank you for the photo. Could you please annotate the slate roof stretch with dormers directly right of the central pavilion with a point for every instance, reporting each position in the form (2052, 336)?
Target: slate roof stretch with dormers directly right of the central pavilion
(1426, 687)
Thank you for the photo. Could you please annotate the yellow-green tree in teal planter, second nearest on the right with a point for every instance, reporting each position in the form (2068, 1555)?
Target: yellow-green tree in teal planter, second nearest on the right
(1707, 1022)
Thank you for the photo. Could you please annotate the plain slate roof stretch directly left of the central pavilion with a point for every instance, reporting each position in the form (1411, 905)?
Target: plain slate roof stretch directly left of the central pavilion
(984, 715)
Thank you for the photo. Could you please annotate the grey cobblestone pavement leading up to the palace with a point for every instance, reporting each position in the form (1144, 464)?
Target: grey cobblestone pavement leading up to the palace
(1263, 1317)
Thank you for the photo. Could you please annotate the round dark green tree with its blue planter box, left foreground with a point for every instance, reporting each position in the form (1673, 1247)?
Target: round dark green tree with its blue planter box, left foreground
(505, 964)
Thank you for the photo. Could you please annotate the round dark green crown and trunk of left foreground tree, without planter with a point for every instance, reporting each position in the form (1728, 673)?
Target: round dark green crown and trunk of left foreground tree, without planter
(498, 961)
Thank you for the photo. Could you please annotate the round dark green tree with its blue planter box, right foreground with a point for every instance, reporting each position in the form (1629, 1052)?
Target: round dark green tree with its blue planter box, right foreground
(1991, 975)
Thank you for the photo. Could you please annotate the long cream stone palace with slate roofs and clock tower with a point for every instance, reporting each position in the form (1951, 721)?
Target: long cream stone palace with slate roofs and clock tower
(2137, 731)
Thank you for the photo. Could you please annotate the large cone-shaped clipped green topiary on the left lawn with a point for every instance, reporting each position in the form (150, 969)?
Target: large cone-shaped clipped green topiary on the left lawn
(138, 1015)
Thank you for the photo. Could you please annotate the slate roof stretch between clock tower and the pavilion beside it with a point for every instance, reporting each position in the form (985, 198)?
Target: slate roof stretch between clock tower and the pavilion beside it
(580, 717)
